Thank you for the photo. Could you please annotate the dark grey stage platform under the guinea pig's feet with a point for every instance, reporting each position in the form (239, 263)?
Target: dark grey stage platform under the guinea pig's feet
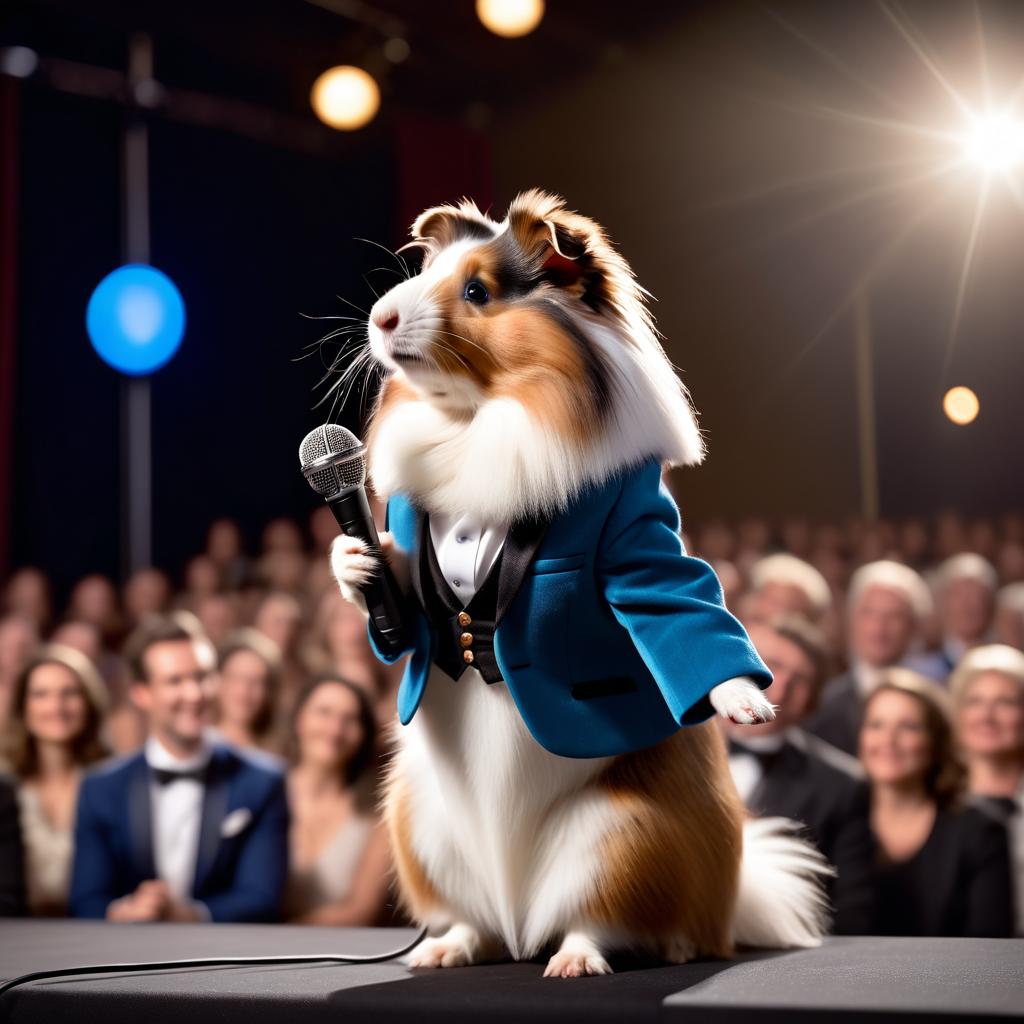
(848, 980)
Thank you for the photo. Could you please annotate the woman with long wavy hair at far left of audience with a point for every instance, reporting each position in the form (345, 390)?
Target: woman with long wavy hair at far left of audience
(54, 734)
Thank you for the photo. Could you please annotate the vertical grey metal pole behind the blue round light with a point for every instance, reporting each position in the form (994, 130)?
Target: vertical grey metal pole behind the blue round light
(138, 484)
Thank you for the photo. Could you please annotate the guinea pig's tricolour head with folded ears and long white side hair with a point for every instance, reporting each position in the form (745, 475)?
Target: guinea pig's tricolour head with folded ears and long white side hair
(540, 318)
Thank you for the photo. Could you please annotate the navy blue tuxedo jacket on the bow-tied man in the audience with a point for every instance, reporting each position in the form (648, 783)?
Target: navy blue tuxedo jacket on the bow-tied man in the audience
(239, 878)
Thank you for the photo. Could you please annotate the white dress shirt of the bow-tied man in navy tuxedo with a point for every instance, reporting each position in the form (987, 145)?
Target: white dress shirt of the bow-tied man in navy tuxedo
(177, 816)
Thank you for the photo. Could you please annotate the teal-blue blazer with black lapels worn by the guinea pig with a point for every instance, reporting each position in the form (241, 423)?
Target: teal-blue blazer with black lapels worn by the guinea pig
(609, 635)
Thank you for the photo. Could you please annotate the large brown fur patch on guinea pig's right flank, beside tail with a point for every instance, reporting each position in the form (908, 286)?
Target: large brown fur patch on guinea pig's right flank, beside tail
(673, 867)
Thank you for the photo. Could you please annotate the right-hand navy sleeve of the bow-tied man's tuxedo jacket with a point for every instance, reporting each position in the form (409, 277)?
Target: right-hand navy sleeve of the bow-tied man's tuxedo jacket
(259, 883)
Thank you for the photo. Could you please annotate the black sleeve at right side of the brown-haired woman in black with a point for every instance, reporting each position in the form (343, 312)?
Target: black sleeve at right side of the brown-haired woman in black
(989, 880)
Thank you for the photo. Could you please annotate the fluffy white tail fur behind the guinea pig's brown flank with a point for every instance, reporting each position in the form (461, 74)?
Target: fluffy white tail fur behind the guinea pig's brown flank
(782, 903)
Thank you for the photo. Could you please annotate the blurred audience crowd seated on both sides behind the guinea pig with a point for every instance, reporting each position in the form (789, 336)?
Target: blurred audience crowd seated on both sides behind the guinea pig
(857, 583)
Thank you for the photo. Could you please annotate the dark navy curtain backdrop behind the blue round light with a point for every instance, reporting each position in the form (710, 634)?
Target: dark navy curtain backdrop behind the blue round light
(254, 237)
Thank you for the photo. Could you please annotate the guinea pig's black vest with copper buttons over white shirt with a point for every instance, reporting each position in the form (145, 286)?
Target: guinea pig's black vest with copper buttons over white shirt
(465, 633)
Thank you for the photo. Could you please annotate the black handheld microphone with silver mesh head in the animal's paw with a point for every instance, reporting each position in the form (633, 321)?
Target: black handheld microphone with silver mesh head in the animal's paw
(334, 463)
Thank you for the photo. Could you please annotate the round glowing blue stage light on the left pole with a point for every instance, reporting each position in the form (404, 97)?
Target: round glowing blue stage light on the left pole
(136, 319)
